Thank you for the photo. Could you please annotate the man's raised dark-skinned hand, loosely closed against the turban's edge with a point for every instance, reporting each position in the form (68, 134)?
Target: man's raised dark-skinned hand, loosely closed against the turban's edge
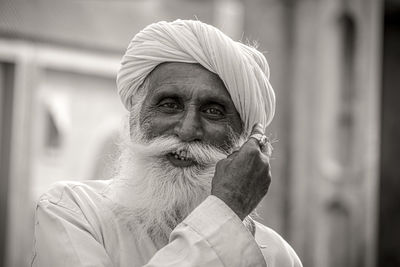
(243, 178)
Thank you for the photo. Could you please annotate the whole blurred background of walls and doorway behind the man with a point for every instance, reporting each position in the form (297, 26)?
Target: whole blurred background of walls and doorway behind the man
(335, 69)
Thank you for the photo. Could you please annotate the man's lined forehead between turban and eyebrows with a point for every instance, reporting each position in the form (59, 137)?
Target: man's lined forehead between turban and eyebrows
(195, 76)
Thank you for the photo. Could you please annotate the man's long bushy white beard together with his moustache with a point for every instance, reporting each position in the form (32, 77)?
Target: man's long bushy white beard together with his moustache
(152, 195)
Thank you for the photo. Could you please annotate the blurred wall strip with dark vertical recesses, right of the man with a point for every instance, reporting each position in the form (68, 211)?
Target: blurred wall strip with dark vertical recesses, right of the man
(335, 131)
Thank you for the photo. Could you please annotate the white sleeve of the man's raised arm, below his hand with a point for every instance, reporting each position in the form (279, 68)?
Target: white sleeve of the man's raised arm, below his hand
(212, 235)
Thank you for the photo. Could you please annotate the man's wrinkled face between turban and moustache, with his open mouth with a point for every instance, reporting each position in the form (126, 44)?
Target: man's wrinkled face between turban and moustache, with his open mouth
(191, 103)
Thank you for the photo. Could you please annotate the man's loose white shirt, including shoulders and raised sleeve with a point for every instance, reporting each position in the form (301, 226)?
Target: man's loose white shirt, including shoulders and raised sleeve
(76, 226)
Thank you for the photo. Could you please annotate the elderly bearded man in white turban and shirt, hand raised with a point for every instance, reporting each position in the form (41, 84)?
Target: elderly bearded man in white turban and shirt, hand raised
(193, 167)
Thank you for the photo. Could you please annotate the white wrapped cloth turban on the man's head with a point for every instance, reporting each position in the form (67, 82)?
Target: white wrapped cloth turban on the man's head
(243, 69)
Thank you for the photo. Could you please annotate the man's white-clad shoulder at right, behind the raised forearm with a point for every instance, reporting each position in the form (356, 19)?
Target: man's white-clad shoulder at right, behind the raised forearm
(276, 251)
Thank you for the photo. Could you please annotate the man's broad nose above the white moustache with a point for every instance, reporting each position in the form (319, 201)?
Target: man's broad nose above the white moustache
(189, 129)
